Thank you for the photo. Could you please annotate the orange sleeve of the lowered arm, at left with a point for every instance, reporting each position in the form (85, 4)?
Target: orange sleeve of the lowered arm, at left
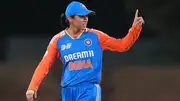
(47, 61)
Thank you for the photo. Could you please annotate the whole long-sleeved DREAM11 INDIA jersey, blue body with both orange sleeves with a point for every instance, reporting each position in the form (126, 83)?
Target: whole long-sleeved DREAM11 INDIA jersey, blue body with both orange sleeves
(81, 56)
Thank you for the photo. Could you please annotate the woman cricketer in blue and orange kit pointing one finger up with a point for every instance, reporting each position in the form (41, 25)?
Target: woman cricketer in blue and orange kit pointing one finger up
(80, 50)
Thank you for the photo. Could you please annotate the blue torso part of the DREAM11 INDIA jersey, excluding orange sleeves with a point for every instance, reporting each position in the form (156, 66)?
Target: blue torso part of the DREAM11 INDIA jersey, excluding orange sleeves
(82, 58)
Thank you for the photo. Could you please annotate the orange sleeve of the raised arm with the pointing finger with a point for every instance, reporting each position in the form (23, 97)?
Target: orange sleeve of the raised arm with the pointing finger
(120, 45)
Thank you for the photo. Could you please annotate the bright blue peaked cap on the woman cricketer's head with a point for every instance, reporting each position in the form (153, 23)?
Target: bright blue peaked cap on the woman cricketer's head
(77, 8)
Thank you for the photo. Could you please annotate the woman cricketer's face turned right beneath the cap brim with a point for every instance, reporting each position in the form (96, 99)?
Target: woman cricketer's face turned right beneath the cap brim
(79, 22)
